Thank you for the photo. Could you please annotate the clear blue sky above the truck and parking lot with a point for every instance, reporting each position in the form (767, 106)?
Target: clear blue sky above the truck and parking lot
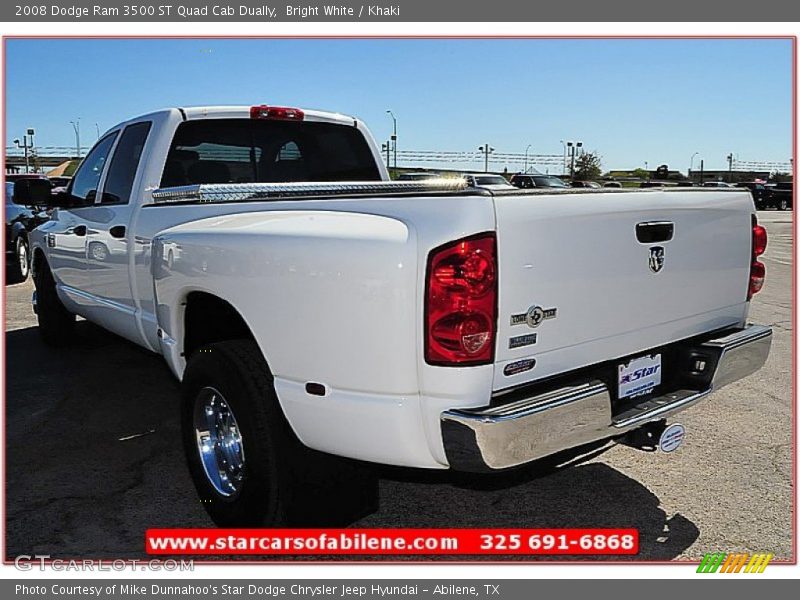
(631, 101)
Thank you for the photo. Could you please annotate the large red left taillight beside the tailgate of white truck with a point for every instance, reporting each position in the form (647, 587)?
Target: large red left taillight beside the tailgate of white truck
(461, 302)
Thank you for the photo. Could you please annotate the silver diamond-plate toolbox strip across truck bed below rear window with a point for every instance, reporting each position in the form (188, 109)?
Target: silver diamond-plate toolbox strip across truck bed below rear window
(237, 192)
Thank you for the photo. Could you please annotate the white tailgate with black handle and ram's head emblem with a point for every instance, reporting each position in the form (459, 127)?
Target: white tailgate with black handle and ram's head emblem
(578, 285)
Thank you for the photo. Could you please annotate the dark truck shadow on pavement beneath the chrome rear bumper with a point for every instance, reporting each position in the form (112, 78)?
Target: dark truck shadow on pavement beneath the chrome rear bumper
(593, 495)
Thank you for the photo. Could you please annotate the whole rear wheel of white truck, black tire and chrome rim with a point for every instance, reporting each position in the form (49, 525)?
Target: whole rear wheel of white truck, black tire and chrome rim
(236, 439)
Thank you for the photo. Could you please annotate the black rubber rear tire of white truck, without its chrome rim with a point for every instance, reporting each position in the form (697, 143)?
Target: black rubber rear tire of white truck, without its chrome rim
(238, 371)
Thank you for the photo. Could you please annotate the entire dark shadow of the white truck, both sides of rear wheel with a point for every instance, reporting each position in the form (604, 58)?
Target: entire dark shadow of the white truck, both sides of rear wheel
(94, 458)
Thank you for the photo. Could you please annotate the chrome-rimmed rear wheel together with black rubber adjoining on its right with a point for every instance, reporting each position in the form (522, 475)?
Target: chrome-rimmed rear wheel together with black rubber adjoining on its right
(248, 467)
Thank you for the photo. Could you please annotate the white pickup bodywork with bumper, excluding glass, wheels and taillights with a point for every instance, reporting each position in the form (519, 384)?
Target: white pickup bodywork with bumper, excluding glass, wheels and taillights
(332, 288)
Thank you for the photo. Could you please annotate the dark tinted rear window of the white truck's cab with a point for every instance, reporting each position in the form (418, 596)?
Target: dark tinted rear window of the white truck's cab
(261, 151)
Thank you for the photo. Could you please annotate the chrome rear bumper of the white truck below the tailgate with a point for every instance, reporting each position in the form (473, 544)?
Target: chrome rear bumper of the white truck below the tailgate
(516, 432)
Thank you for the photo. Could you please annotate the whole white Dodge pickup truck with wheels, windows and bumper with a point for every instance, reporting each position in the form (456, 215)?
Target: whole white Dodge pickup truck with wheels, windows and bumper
(306, 301)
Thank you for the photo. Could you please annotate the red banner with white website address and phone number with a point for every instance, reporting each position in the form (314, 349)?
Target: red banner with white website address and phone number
(391, 541)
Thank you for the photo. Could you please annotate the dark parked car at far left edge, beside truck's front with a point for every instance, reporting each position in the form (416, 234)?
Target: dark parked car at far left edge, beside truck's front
(20, 220)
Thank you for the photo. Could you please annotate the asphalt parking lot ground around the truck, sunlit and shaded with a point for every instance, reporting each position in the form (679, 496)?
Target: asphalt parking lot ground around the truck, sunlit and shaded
(93, 455)
